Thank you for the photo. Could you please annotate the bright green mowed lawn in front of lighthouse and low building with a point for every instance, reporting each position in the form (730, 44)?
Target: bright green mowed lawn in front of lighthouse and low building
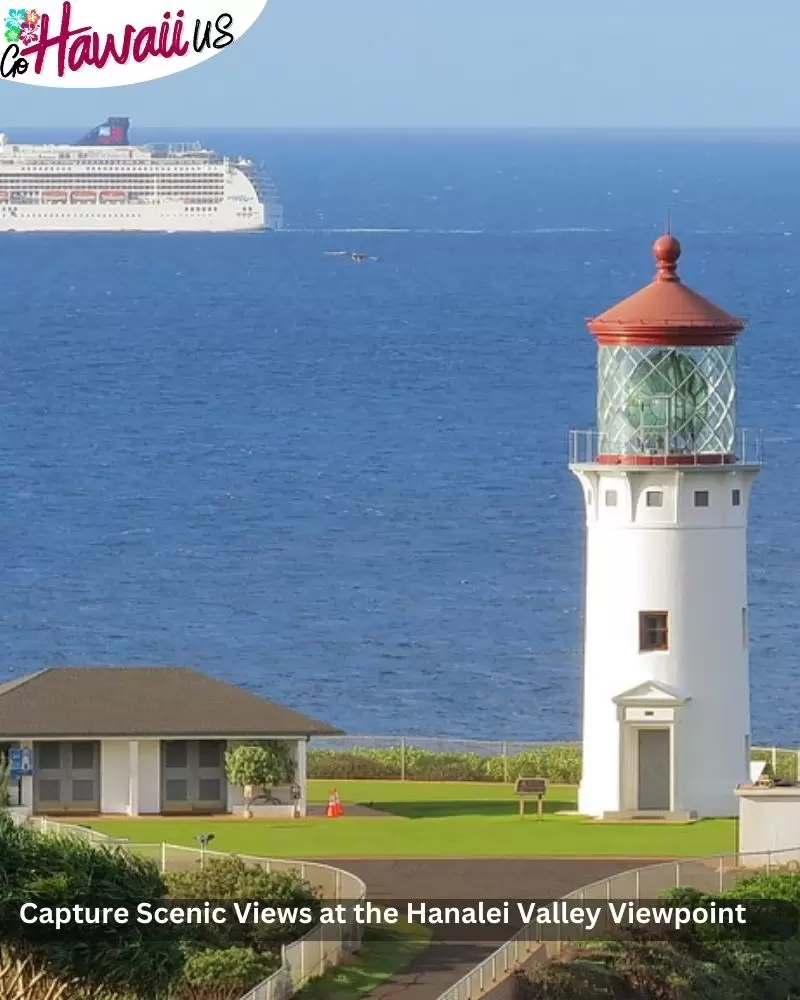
(435, 819)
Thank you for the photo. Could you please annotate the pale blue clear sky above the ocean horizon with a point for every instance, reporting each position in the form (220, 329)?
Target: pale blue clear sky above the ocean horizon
(469, 64)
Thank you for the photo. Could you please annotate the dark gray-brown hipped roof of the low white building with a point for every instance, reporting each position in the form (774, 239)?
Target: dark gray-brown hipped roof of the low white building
(80, 702)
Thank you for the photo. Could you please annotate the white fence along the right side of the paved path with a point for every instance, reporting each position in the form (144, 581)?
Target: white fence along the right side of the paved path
(714, 874)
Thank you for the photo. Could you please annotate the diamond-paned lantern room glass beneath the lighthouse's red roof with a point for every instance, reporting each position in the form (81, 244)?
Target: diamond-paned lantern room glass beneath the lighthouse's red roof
(666, 400)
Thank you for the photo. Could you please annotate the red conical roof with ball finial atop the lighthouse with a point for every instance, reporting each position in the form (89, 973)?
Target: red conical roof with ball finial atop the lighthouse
(666, 311)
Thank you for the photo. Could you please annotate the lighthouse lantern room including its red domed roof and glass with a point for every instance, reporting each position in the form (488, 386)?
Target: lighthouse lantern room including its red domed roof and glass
(666, 374)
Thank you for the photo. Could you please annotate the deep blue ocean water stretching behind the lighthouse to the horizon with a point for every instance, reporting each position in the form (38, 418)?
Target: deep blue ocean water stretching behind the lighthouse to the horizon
(346, 487)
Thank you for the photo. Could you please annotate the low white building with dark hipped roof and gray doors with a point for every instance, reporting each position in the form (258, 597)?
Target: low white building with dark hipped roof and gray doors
(143, 740)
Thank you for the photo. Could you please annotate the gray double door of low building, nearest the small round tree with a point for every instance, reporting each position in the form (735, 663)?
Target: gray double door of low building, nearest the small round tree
(193, 776)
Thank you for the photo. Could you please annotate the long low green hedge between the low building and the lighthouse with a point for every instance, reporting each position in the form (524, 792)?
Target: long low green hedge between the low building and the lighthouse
(559, 763)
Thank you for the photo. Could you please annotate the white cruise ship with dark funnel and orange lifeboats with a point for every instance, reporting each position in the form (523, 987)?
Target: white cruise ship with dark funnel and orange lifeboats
(103, 183)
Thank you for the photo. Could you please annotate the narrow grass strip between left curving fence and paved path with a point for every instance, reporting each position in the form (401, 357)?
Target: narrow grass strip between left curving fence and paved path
(386, 952)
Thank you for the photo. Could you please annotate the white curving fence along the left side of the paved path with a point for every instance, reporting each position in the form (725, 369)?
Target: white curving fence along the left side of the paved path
(302, 960)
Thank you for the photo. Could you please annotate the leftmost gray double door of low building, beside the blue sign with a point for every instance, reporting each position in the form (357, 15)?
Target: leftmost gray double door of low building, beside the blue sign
(67, 777)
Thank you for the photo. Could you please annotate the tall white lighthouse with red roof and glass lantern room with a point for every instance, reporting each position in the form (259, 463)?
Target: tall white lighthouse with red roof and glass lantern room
(666, 478)
